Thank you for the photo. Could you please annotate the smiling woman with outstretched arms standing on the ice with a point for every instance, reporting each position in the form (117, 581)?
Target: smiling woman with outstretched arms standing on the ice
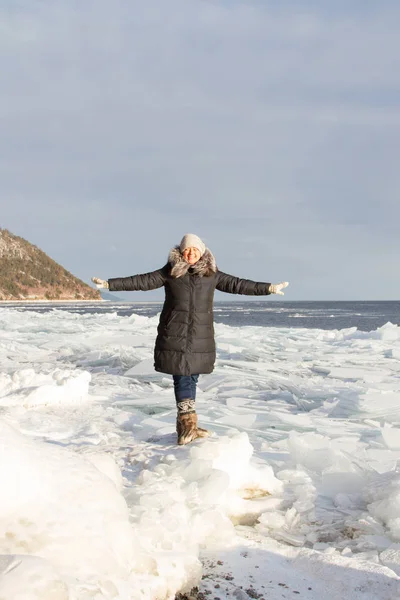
(185, 345)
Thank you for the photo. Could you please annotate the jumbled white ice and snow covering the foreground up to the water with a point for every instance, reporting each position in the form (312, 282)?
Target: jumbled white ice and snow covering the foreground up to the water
(297, 491)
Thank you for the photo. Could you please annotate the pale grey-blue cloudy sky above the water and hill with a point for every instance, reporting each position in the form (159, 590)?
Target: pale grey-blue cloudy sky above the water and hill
(271, 130)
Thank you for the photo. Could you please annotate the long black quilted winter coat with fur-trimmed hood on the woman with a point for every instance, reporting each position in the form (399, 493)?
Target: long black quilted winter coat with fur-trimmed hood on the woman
(185, 342)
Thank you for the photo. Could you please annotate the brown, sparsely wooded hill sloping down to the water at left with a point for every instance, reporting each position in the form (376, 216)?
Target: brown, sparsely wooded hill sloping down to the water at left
(27, 273)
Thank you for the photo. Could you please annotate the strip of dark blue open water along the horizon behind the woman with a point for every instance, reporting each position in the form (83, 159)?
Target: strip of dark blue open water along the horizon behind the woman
(366, 316)
